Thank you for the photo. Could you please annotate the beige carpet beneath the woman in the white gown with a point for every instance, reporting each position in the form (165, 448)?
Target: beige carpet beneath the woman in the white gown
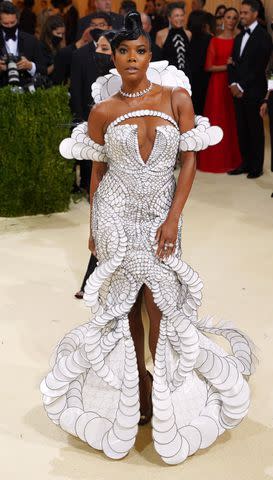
(228, 238)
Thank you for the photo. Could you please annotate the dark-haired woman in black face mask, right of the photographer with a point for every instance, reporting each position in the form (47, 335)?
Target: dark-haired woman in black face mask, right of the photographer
(53, 39)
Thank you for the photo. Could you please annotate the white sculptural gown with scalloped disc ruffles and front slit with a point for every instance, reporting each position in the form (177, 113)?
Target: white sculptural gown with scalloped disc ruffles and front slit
(199, 390)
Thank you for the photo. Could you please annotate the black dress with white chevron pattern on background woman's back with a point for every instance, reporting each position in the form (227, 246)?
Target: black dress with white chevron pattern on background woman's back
(176, 49)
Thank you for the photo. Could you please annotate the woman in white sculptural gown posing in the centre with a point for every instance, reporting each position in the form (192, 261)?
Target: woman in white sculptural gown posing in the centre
(92, 391)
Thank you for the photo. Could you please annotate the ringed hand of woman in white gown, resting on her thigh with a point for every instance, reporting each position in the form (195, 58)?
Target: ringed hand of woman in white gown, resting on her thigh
(166, 236)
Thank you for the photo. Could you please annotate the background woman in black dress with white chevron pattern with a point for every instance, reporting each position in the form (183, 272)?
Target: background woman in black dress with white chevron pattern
(174, 40)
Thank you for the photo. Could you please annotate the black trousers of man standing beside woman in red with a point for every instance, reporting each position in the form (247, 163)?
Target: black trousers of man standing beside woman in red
(251, 133)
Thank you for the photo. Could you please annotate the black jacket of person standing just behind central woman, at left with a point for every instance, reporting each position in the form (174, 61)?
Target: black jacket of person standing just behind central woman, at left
(84, 72)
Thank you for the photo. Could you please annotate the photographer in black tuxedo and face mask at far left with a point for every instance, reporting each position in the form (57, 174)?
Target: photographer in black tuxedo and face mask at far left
(21, 56)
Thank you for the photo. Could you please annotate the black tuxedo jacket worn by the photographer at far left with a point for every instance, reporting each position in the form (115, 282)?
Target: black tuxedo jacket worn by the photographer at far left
(29, 47)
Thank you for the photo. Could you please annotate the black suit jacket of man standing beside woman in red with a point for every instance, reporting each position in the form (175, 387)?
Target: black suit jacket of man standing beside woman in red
(249, 70)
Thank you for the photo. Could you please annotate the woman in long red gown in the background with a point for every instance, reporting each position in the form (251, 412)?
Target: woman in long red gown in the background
(219, 103)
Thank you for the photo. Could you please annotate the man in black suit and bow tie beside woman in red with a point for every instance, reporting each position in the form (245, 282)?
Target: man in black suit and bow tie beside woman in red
(248, 85)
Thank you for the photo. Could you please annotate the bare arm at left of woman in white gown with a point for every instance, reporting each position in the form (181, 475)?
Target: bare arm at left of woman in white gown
(96, 122)
